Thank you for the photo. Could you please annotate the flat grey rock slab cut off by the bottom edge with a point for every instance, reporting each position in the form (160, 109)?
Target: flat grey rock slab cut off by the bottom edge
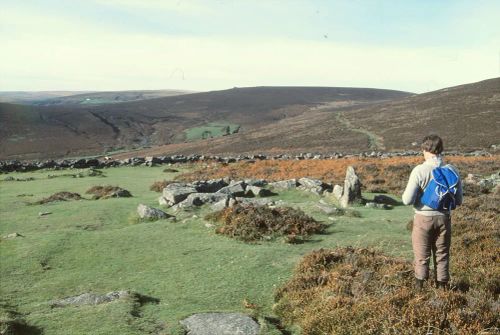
(220, 324)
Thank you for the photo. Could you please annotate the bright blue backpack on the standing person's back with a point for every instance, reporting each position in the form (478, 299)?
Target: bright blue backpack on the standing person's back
(440, 193)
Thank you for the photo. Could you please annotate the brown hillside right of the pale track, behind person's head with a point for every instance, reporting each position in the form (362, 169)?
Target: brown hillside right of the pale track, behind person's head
(467, 116)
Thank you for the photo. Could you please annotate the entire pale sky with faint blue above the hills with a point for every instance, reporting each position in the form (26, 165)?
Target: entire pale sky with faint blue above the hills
(409, 45)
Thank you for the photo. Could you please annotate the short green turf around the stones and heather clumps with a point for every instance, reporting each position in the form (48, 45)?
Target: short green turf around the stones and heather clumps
(93, 245)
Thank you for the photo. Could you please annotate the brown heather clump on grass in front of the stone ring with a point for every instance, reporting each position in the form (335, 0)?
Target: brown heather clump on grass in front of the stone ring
(254, 223)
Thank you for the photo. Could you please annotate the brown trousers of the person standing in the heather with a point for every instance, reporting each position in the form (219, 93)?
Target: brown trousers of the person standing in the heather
(431, 234)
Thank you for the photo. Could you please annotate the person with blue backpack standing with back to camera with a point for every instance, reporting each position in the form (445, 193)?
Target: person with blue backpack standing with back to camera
(431, 232)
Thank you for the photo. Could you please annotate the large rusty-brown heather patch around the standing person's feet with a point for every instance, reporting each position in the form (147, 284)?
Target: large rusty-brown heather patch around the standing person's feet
(360, 291)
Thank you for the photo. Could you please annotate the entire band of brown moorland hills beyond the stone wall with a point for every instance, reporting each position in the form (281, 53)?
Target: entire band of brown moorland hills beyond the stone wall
(256, 120)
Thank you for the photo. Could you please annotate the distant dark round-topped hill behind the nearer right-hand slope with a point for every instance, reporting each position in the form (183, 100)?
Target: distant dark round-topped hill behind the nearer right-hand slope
(59, 130)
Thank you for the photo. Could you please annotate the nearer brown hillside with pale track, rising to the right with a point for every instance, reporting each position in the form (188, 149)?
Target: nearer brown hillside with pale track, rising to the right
(467, 117)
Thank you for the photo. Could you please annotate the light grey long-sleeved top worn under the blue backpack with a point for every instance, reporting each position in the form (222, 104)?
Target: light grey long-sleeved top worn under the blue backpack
(419, 179)
